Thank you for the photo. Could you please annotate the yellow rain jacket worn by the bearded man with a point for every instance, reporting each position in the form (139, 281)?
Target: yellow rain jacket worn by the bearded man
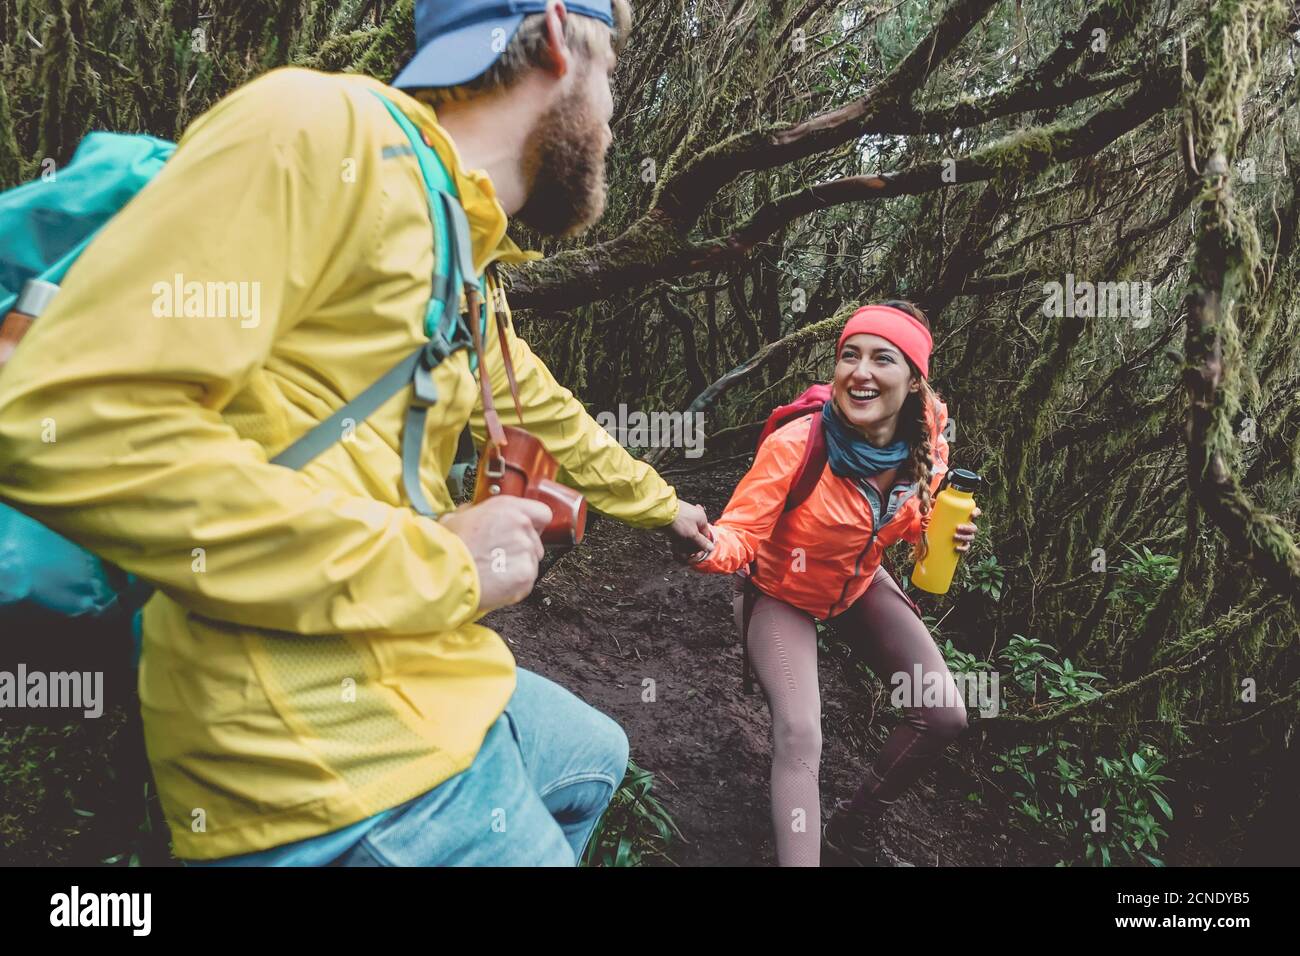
(313, 656)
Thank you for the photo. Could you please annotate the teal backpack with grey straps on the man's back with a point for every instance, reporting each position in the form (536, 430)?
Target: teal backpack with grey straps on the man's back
(46, 581)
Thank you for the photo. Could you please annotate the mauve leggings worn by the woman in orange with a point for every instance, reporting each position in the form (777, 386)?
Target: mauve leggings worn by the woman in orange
(886, 631)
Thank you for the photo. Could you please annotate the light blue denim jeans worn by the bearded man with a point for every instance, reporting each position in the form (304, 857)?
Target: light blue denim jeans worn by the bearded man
(532, 798)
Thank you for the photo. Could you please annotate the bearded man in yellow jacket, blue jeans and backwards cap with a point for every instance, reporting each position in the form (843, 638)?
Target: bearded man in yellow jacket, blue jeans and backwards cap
(314, 685)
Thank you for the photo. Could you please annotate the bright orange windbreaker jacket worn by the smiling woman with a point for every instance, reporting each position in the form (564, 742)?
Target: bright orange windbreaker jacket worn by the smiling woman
(821, 556)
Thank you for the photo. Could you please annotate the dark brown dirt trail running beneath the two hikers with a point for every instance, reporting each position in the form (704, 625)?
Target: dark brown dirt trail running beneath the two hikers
(619, 611)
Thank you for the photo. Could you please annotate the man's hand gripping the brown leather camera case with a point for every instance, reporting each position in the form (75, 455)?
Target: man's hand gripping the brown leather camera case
(504, 535)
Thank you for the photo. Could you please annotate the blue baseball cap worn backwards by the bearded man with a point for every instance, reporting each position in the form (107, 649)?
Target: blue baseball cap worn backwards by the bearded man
(460, 40)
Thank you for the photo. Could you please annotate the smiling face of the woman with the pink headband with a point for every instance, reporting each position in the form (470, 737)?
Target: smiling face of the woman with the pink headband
(872, 383)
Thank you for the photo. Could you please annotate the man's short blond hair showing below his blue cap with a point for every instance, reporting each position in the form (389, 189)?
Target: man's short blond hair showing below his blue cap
(527, 50)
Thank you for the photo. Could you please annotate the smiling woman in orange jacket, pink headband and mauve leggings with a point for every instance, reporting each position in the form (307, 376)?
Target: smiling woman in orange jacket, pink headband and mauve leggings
(822, 560)
